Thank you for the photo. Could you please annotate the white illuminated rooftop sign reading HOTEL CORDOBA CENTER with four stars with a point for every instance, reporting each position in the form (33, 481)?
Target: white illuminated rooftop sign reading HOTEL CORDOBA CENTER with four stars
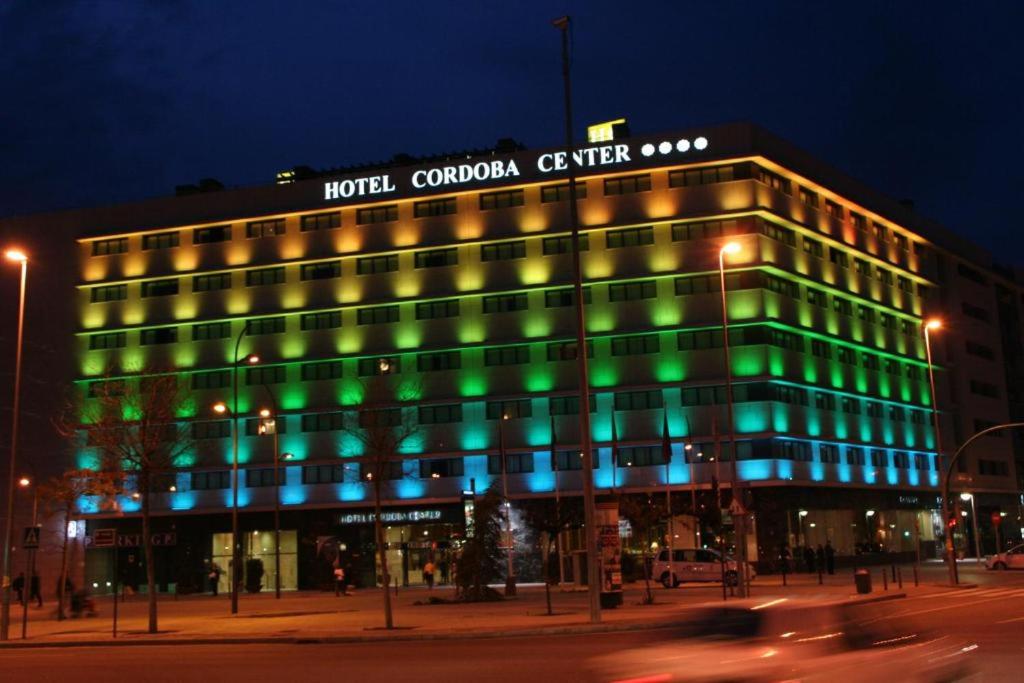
(524, 167)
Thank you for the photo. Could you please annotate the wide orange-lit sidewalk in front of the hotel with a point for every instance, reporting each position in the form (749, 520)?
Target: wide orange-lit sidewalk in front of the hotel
(316, 617)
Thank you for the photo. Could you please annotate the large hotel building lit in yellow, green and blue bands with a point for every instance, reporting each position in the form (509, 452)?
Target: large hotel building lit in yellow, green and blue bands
(453, 279)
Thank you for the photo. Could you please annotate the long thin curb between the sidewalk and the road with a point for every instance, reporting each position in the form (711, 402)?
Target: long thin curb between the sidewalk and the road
(329, 641)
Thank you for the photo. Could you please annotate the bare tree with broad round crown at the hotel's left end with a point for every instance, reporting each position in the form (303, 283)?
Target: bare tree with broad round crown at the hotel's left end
(135, 428)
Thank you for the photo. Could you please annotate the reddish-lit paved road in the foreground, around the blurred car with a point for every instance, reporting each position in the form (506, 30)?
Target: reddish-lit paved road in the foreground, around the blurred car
(992, 614)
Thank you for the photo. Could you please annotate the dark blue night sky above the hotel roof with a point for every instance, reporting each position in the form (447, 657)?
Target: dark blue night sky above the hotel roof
(113, 101)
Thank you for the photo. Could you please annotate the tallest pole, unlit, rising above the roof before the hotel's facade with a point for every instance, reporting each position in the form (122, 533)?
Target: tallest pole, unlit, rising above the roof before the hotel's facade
(589, 514)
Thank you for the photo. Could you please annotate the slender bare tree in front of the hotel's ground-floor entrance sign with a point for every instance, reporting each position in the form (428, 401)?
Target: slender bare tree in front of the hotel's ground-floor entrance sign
(386, 425)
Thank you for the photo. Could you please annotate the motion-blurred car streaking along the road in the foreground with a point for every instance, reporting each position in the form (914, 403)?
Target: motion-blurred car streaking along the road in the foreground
(792, 641)
